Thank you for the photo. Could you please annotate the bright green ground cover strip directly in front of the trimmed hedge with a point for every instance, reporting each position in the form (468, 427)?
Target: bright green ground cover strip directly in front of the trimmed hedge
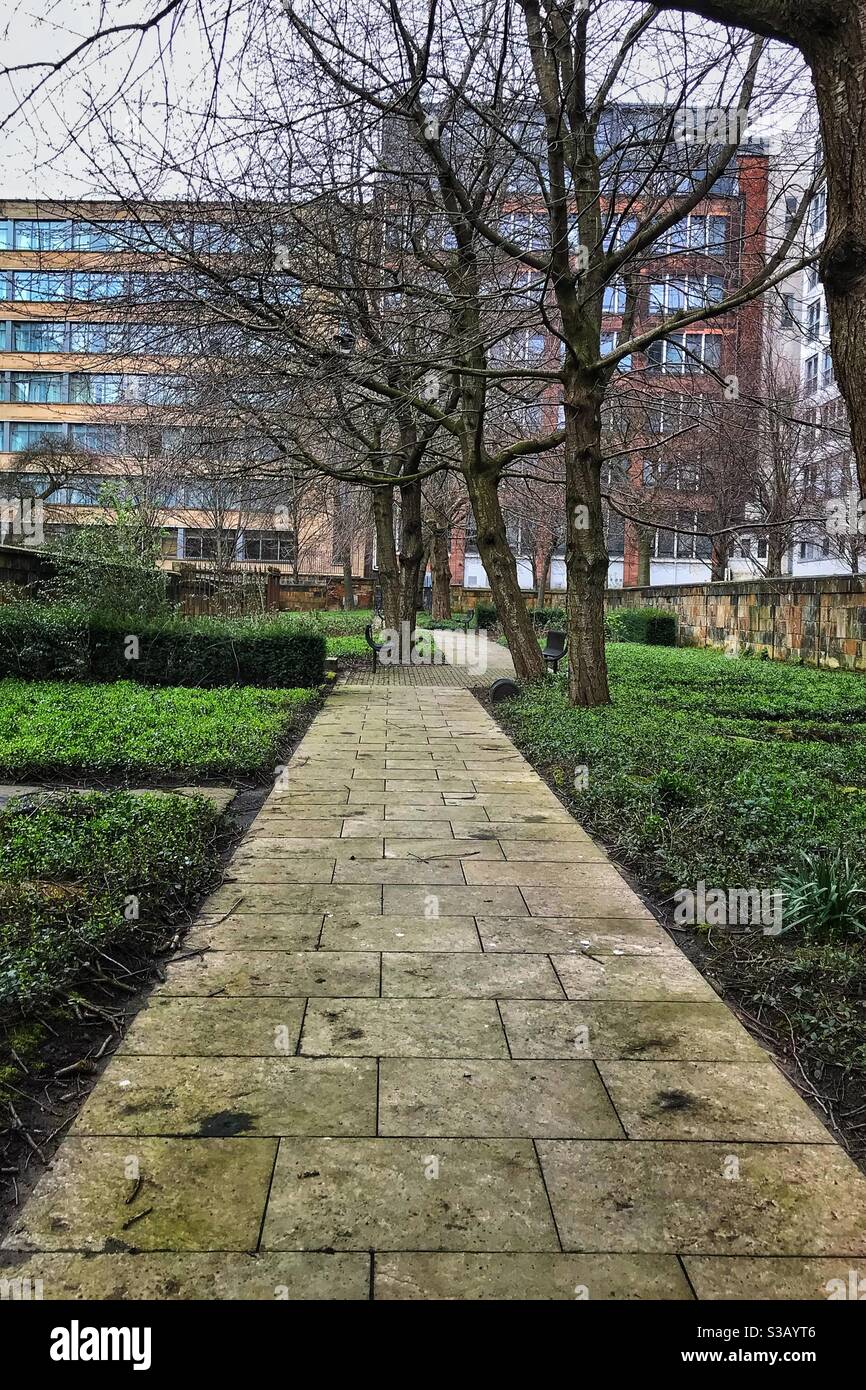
(123, 730)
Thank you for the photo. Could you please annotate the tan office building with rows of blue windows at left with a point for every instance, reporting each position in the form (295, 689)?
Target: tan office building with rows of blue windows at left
(92, 394)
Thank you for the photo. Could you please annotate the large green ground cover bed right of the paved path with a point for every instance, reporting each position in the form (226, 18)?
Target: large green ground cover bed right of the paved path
(744, 775)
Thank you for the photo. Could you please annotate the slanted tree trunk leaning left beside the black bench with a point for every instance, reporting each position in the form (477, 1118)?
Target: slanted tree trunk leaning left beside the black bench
(503, 573)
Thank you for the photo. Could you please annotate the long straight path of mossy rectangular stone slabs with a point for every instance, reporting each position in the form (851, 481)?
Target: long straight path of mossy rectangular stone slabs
(432, 1046)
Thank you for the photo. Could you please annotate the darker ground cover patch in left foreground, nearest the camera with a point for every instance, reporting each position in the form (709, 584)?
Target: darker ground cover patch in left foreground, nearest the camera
(87, 878)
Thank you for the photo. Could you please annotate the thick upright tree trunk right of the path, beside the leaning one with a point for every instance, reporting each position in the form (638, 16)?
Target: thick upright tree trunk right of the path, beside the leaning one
(586, 547)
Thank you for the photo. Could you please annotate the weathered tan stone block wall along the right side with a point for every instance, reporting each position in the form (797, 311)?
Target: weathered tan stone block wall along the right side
(819, 622)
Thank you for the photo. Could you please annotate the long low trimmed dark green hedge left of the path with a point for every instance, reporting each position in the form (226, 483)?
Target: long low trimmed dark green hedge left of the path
(54, 643)
